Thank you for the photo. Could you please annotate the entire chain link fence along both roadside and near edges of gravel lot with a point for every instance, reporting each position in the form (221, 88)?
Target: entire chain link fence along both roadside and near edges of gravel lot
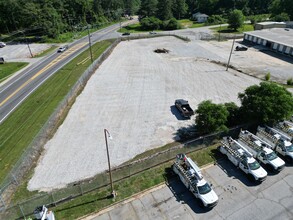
(21, 210)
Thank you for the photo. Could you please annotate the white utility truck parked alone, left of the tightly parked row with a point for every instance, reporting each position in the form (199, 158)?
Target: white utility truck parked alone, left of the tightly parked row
(190, 175)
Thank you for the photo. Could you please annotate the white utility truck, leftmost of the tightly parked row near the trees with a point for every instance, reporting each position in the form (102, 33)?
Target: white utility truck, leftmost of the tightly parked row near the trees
(242, 158)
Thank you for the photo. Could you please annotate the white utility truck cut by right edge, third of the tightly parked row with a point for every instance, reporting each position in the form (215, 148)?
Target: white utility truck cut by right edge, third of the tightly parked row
(279, 142)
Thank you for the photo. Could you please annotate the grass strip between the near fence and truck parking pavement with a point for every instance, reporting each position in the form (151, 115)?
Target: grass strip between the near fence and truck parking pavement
(99, 199)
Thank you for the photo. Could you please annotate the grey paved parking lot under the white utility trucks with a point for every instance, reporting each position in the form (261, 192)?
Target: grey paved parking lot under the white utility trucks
(238, 198)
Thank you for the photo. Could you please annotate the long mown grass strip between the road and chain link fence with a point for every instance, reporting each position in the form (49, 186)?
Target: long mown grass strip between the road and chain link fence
(21, 127)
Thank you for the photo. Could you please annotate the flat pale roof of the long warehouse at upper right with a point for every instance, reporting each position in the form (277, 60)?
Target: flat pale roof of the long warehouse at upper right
(279, 35)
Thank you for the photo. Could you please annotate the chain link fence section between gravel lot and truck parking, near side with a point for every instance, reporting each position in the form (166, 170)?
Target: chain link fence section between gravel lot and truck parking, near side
(54, 198)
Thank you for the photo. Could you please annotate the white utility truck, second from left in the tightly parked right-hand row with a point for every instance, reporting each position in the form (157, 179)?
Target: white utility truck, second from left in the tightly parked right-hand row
(261, 151)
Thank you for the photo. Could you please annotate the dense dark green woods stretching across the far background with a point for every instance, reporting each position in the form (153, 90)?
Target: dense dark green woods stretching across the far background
(53, 17)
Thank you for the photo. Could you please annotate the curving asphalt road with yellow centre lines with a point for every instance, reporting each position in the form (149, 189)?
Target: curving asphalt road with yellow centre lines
(13, 93)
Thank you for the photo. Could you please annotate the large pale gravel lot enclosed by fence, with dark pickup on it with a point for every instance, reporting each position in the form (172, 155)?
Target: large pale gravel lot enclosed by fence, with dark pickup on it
(132, 95)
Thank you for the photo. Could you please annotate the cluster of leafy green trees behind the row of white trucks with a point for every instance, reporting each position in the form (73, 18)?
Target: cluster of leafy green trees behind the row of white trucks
(267, 103)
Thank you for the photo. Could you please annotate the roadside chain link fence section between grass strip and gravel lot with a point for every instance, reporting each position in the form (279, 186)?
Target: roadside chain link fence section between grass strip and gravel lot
(33, 151)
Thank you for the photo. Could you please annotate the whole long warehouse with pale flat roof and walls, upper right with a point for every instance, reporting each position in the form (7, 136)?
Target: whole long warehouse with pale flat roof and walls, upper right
(276, 39)
